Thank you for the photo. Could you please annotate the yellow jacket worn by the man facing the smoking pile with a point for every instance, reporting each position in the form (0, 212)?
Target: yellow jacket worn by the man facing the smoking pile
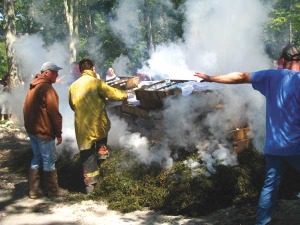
(87, 96)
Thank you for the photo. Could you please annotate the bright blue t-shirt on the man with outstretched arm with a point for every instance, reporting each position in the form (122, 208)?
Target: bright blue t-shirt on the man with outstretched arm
(282, 91)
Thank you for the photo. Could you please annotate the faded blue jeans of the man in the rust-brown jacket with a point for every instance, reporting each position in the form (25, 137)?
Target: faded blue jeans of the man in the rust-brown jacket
(44, 153)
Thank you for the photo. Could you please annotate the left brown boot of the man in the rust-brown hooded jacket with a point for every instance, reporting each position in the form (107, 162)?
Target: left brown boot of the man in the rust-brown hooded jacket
(34, 184)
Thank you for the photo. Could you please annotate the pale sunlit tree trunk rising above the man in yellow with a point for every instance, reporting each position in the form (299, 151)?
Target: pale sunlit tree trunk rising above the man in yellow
(71, 11)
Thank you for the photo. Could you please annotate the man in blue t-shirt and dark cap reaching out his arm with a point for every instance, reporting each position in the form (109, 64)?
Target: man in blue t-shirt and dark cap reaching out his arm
(281, 89)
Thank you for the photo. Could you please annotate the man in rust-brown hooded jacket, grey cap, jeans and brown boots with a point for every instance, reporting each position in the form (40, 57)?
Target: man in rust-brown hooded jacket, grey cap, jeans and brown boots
(43, 123)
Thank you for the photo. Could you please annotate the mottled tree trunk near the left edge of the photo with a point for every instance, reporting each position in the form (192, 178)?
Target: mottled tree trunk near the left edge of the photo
(10, 35)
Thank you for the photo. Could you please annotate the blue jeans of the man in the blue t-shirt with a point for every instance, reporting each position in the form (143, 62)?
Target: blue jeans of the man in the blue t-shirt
(275, 167)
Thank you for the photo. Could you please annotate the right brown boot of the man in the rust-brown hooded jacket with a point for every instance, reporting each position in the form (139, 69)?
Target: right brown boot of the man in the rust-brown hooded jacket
(52, 185)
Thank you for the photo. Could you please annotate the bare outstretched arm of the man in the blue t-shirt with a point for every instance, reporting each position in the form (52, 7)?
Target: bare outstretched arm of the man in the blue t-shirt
(230, 78)
